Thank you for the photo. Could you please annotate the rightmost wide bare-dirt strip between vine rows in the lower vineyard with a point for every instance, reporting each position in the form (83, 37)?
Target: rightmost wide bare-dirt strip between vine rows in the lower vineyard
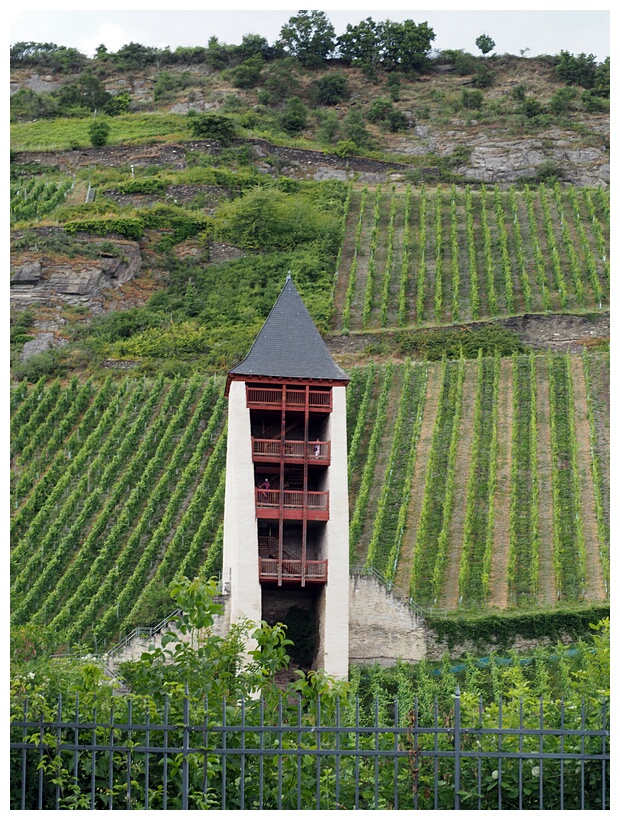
(595, 585)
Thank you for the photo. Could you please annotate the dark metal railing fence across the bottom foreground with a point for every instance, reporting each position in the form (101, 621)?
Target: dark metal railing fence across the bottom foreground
(283, 755)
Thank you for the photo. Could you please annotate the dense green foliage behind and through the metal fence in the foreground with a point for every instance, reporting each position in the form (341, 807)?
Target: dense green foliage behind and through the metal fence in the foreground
(186, 682)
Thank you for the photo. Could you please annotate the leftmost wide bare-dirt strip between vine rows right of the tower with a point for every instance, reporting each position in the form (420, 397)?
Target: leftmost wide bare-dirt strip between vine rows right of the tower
(418, 483)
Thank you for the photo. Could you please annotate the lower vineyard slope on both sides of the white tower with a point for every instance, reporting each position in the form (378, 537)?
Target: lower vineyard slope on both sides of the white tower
(473, 484)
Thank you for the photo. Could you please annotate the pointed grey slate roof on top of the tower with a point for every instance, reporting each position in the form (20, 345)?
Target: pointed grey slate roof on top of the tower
(289, 345)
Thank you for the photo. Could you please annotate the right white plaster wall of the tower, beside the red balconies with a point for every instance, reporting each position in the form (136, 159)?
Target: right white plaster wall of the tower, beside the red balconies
(333, 605)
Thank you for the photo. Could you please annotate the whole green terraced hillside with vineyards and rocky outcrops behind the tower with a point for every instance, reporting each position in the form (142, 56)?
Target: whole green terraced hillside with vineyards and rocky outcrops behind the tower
(419, 208)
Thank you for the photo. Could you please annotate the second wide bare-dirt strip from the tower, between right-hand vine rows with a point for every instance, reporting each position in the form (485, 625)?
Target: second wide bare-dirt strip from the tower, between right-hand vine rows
(450, 586)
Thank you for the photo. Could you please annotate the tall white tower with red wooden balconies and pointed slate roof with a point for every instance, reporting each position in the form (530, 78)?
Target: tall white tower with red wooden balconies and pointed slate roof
(286, 514)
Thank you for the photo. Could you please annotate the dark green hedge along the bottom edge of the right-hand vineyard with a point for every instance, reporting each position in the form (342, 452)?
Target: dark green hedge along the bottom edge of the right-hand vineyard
(504, 629)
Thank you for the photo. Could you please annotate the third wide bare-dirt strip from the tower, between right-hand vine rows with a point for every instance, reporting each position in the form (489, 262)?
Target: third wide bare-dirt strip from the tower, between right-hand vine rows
(498, 576)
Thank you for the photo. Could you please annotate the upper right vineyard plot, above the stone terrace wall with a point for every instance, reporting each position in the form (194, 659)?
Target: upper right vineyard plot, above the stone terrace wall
(456, 254)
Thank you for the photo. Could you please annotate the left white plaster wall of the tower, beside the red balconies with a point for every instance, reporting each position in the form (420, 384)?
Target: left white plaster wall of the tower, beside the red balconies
(240, 549)
